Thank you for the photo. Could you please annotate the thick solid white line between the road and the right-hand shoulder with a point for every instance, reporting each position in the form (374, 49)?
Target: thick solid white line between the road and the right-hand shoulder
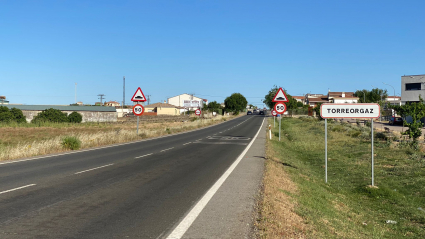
(181, 229)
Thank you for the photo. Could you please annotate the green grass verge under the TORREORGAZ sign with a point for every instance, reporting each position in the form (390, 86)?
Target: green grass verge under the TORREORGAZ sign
(346, 207)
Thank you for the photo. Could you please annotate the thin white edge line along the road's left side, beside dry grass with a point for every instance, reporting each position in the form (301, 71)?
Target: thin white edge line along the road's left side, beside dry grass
(113, 145)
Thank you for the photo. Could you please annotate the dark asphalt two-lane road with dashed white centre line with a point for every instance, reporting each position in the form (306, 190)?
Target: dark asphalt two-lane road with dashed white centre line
(135, 190)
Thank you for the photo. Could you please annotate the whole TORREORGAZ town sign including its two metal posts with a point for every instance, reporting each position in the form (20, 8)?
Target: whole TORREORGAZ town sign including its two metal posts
(371, 111)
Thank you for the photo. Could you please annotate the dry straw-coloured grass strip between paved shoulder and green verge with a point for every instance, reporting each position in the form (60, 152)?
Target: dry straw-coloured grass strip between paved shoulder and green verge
(278, 218)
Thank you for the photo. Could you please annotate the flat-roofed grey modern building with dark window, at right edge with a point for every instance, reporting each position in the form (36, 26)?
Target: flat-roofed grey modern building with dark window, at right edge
(412, 86)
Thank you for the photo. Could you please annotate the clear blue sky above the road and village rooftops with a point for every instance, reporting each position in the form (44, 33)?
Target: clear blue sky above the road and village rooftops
(209, 48)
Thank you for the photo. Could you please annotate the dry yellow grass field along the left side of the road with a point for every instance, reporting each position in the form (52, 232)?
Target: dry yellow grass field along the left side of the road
(20, 142)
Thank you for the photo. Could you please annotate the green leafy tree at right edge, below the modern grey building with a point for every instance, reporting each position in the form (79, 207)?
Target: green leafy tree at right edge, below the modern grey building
(417, 111)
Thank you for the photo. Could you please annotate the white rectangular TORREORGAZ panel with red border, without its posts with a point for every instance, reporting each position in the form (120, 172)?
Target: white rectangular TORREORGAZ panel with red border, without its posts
(370, 111)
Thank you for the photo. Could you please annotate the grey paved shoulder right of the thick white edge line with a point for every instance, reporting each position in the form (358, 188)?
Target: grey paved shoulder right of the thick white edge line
(231, 211)
